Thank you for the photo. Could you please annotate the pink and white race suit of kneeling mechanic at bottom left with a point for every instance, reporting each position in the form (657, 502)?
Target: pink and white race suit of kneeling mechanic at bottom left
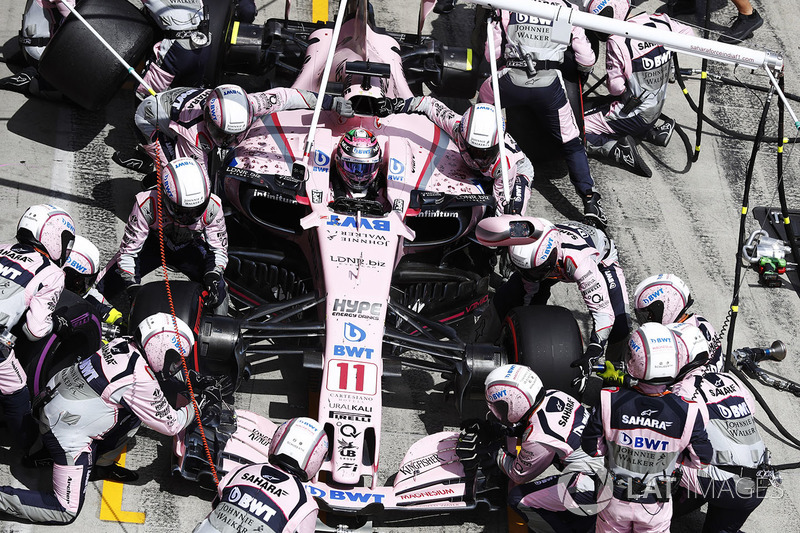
(82, 404)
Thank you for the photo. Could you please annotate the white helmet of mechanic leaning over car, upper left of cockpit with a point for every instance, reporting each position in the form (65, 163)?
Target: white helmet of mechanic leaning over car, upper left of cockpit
(228, 115)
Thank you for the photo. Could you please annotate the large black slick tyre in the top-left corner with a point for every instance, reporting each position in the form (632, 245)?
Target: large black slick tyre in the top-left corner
(80, 67)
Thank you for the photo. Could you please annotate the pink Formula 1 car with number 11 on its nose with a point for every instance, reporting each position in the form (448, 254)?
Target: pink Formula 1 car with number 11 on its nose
(359, 288)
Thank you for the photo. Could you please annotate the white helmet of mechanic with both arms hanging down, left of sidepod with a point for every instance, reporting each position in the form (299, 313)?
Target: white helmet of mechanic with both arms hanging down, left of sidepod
(185, 186)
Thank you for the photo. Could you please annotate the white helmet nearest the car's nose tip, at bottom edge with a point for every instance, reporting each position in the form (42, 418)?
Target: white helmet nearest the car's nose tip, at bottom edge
(299, 447)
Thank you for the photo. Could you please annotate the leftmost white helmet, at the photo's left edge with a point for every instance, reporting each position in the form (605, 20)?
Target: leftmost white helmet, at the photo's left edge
(49, 229)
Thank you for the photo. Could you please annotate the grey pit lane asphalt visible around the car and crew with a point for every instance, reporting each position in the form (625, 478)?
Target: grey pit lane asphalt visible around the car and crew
(677, 221)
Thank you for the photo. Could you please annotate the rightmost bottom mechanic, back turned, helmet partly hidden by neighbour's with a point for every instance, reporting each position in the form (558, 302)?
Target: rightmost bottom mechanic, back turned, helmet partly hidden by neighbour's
(736, 480)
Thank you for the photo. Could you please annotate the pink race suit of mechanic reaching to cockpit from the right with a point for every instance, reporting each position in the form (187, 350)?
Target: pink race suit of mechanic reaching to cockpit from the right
(520, 169)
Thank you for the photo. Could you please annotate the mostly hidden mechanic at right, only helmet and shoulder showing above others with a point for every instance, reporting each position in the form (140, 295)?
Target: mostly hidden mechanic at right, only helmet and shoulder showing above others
(665, 298)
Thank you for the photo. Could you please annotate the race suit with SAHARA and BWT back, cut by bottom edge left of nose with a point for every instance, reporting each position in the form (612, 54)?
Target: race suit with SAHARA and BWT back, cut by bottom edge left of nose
(260, 497)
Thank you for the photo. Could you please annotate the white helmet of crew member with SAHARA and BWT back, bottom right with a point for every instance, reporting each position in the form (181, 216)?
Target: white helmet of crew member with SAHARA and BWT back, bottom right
(653, 354)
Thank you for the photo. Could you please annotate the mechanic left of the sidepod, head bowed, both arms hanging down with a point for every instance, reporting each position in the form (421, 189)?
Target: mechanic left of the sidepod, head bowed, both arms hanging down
(195, 237)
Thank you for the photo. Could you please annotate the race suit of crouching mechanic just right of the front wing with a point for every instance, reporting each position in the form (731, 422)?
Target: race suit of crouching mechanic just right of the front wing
(553, 437)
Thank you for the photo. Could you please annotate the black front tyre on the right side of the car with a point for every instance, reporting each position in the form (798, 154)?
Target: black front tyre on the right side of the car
(547, 339)
